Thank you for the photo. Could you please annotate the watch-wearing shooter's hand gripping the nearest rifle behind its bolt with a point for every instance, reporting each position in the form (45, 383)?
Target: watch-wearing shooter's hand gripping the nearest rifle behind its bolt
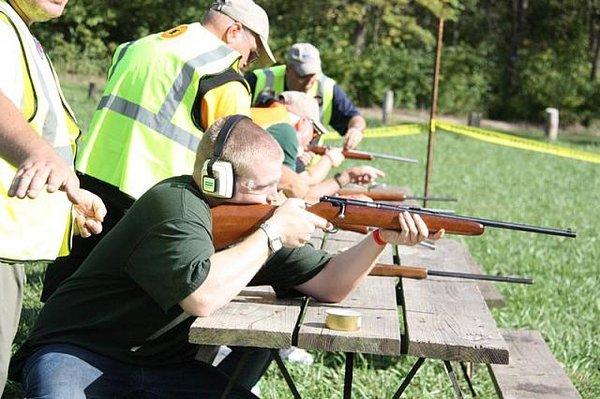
(295, 224)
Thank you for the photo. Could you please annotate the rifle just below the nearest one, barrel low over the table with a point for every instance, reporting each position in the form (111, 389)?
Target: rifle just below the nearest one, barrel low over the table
(417, 272)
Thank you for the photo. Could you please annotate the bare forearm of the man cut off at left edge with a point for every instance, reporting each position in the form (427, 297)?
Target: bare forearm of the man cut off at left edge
(18, 141)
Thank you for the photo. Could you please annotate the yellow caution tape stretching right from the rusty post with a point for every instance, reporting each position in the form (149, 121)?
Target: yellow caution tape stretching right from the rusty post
(519, 142)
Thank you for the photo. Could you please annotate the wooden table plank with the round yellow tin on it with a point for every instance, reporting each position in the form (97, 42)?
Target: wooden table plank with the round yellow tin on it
(375, 299)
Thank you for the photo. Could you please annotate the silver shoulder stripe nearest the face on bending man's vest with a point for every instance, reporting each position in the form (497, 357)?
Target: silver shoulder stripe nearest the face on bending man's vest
(184, 80)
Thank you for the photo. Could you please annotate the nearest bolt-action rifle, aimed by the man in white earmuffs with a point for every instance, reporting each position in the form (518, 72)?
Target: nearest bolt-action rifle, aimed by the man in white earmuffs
(233, 222)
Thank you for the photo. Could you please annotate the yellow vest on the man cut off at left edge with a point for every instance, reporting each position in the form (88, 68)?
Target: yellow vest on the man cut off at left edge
(38, 229)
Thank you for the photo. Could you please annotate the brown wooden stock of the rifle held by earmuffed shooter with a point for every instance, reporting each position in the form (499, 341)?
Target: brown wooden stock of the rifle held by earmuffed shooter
(232, 222)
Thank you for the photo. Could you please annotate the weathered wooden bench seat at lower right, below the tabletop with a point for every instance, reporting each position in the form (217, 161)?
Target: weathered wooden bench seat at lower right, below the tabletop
(533, 373)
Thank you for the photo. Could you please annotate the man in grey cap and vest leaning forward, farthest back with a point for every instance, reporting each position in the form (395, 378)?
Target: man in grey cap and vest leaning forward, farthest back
(302, 72)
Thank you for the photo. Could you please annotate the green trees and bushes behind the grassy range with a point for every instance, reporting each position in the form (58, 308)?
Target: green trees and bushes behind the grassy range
(507, 59)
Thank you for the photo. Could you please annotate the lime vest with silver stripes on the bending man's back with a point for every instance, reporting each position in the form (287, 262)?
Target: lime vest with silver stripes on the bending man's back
(144, 129)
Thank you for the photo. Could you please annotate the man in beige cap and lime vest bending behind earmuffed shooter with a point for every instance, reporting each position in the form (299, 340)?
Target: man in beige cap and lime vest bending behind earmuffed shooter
(162, 93)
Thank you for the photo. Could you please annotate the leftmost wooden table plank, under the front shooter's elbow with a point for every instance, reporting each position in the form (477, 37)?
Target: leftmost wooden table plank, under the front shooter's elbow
(254, 318)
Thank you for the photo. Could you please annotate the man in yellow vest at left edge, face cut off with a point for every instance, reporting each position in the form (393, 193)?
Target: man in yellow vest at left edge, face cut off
(37, 147)
